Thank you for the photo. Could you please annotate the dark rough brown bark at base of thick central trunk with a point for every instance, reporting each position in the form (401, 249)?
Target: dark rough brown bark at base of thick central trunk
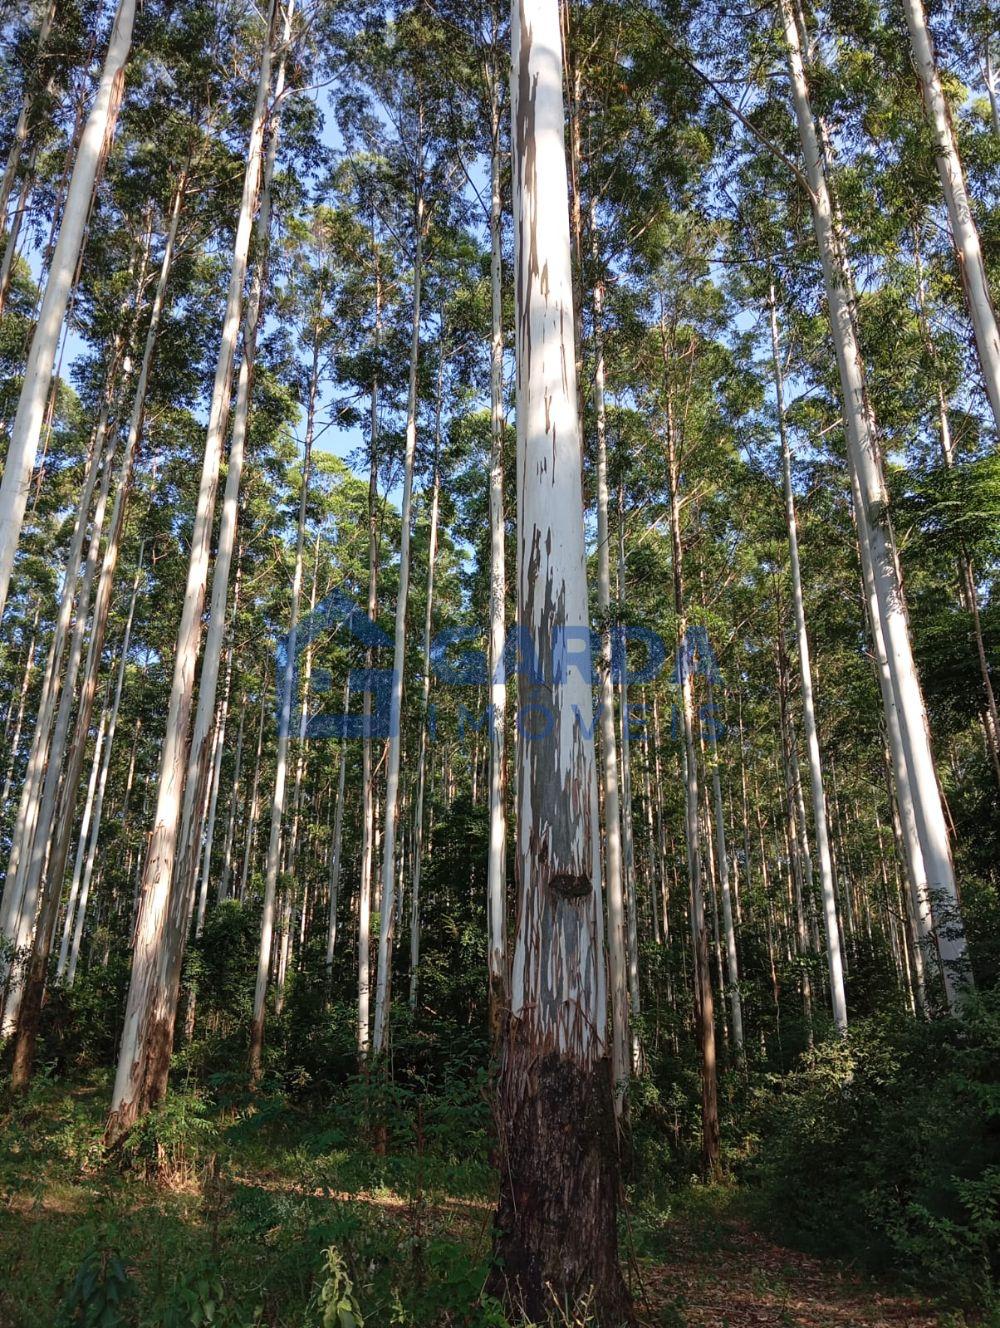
(556, 1233)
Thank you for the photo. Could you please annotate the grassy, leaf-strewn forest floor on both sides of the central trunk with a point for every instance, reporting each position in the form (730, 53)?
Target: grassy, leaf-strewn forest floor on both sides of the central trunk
(238, 1218)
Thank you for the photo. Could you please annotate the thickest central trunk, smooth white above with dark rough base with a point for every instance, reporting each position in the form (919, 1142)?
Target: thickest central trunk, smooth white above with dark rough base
(556, 1232)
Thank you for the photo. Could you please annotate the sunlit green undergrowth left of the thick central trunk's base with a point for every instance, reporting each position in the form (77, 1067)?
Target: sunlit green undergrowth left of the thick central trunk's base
(216, 1214)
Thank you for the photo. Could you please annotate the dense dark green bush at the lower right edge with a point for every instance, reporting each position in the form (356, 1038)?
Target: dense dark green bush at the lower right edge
(885, 1148)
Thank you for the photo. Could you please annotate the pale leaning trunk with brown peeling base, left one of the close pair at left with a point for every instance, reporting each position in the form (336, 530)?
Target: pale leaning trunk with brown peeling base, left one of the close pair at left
(147, 1040)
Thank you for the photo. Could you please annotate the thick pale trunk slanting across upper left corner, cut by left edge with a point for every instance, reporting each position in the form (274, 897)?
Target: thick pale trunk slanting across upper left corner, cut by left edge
(42, 358)
